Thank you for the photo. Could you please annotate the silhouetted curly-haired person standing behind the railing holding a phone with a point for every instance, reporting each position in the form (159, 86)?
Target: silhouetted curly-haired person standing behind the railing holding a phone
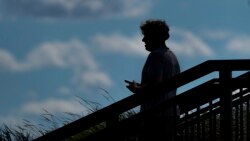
(160, 65)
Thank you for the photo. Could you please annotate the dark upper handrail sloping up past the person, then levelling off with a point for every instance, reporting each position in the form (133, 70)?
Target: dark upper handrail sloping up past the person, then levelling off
(135, 100)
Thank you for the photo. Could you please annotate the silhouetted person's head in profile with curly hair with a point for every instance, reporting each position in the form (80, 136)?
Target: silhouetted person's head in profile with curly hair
(155, 32)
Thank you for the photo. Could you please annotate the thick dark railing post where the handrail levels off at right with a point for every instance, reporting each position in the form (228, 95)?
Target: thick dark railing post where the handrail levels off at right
(226, 105)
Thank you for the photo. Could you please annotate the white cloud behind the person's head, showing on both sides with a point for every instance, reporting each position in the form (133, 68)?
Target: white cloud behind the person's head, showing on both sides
(188, 44)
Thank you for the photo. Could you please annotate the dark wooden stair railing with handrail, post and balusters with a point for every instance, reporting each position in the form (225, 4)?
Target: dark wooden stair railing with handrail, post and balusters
(212, 110)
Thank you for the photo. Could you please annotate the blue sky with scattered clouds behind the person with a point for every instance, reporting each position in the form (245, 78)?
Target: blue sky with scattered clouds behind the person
(54, 50)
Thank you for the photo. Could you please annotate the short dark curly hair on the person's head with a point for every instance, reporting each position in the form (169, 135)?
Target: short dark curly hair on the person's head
(157, 28)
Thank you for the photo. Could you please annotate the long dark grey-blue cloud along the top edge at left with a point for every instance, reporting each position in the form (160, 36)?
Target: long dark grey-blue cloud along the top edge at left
(72, 8)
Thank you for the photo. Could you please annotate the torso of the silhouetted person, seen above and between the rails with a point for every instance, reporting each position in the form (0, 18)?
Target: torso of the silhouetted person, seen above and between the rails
(168, 65)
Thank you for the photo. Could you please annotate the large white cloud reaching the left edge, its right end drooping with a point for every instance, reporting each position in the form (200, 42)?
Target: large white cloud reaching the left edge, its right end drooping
(72, 55)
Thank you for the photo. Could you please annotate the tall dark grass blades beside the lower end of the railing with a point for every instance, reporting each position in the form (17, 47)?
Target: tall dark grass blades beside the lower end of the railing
(29, 130)
